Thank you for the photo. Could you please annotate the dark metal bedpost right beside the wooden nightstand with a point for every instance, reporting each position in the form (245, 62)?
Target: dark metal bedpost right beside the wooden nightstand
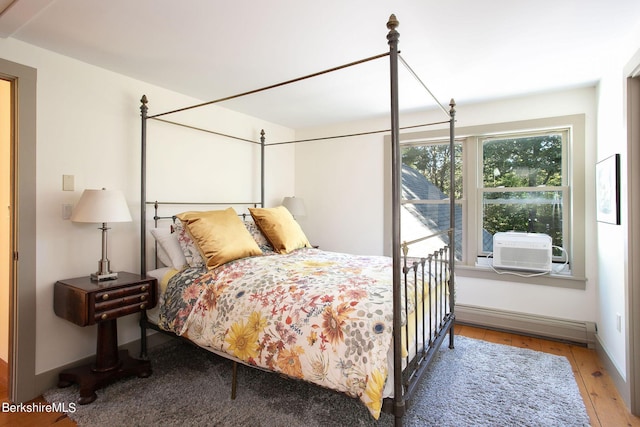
(143, 219)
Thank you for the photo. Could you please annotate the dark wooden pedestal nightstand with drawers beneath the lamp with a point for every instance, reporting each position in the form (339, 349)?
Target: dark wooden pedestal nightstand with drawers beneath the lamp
(86, 302)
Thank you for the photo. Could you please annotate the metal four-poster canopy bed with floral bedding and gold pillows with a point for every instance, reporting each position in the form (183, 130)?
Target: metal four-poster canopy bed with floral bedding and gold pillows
(243, 281)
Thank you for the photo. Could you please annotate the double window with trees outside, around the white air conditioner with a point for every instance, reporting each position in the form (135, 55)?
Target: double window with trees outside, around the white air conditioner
(519, 176)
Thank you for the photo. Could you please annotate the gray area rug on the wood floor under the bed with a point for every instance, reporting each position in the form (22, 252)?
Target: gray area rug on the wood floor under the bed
(476, 384)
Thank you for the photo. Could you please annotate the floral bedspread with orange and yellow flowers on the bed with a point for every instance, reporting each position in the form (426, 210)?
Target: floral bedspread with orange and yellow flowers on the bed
(324, 317)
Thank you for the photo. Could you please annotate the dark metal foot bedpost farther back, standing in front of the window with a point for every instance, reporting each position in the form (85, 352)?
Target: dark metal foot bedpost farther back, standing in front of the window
(452, 216)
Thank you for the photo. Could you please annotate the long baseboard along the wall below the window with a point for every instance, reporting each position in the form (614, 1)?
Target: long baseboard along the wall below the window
(579, 332)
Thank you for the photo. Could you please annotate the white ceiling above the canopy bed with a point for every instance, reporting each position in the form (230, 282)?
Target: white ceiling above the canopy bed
(470, 50)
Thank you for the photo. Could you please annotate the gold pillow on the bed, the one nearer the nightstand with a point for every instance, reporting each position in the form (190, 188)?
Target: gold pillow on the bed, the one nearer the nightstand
(220, 235)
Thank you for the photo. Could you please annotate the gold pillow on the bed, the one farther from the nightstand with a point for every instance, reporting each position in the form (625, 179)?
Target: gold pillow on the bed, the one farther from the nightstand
(280, 228)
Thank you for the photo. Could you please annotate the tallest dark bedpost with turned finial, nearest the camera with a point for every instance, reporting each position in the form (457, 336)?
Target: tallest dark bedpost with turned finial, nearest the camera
(398, 400)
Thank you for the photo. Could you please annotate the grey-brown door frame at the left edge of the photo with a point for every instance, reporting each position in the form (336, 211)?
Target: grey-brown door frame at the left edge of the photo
(22, 302)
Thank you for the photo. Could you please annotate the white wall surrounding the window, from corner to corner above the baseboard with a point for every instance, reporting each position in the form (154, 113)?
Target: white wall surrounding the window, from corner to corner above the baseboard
(342, 184)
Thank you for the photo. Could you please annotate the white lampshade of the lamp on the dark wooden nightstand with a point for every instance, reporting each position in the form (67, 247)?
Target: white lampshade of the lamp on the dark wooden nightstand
(101, 206)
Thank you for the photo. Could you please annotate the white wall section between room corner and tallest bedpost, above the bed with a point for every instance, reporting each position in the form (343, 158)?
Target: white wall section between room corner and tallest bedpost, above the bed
(341, 182)
